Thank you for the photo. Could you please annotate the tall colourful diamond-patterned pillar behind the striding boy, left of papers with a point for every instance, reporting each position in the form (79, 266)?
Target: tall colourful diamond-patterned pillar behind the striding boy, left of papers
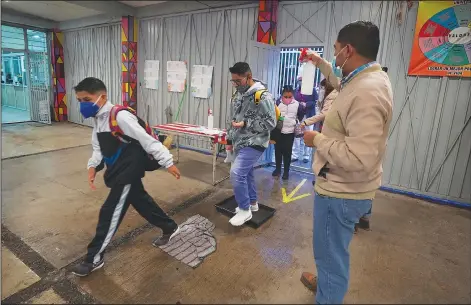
(129, 61)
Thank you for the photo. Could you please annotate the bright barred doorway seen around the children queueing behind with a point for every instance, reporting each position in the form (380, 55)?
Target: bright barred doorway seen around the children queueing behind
(289, 72)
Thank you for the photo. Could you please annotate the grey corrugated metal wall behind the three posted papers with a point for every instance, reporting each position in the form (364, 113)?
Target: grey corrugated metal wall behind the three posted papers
(218, 38)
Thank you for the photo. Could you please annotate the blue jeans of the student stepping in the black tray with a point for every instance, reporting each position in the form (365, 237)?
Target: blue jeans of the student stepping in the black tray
(242, 178)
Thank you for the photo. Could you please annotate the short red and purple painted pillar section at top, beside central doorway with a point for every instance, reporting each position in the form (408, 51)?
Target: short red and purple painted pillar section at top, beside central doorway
(267, 18)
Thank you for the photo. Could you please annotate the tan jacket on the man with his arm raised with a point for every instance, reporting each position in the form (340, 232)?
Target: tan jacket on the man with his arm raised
(353, 139)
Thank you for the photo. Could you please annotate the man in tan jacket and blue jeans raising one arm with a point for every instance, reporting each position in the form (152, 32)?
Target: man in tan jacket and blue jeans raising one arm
(349, 153)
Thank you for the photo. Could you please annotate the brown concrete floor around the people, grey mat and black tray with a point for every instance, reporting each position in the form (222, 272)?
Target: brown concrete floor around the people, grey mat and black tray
(416, 252)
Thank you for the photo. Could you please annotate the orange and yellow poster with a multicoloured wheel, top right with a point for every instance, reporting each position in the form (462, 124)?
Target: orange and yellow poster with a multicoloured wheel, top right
(442, 42)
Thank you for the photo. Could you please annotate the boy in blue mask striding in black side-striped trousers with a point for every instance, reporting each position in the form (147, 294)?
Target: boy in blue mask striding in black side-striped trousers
(126, 155)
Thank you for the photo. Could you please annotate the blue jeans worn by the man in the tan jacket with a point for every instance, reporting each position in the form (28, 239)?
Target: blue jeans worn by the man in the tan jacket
(334, 224)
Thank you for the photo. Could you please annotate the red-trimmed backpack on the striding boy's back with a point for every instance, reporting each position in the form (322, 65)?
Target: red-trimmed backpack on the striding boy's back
(151, 163)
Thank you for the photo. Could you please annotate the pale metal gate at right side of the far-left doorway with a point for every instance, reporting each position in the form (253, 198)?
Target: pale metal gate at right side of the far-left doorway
(39, 88)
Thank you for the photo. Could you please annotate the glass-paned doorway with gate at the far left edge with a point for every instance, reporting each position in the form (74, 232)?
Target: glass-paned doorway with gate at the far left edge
(25, 75)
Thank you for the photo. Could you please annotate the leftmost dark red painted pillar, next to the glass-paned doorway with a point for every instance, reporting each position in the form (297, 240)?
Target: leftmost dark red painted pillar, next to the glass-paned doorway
(58, 76)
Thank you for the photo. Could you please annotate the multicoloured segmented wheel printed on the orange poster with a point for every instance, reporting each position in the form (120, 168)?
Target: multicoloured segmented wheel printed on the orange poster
(445, 38)
